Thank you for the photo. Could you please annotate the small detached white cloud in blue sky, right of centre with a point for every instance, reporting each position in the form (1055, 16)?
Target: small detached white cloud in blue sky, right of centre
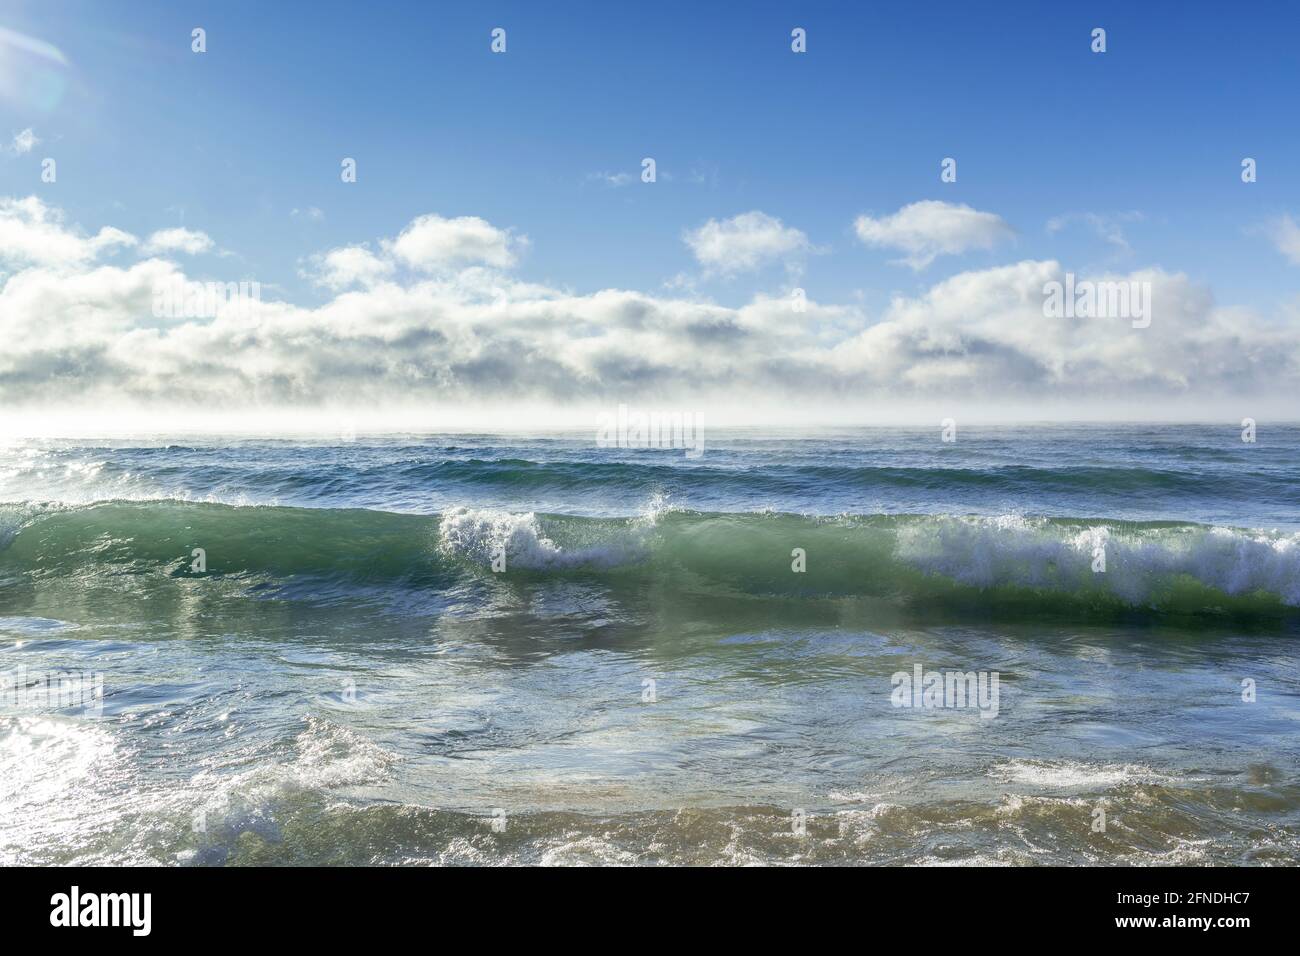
(929, 230)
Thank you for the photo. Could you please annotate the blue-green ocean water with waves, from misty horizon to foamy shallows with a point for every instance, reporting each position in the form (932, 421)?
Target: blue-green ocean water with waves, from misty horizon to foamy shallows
(346, 680)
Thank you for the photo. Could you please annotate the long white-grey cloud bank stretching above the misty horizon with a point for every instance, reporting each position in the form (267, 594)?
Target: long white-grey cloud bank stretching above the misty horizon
(79, 331)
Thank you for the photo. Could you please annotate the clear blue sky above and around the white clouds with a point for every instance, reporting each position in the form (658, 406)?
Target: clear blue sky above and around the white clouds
(1115, 163)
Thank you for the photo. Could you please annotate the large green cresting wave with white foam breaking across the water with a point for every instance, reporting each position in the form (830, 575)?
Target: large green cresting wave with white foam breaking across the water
(1003, 566)
